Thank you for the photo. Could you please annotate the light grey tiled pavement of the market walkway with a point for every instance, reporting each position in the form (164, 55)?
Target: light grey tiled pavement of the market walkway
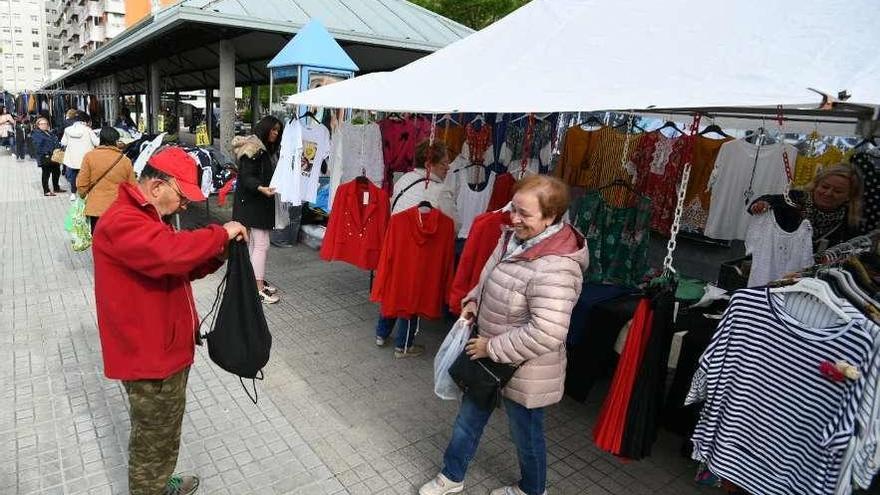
(335, 413)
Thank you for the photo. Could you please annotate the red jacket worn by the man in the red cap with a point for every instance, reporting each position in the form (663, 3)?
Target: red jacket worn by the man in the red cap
(146, 313)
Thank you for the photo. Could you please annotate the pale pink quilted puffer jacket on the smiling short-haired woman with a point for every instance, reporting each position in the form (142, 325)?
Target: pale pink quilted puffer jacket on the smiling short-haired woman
(525, 311)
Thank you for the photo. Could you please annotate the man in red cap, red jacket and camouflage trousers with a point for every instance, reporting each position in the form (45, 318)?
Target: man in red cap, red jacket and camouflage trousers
(146, 312)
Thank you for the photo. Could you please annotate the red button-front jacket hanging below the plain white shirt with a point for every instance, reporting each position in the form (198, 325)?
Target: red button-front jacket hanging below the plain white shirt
(355, 230)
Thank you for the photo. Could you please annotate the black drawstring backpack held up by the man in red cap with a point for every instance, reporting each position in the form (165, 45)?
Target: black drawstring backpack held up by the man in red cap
(240, 340)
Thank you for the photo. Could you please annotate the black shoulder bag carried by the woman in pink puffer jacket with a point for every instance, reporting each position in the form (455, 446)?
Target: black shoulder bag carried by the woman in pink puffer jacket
(482, 380)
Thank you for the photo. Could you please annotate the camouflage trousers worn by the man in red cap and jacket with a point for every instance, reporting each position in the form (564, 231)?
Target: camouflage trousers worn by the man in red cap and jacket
(156, 411)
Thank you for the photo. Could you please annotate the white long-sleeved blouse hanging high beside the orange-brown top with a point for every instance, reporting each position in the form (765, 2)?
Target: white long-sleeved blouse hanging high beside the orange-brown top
(743, 172)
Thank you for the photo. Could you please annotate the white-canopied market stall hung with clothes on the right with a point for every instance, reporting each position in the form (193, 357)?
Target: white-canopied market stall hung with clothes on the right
(634, 130)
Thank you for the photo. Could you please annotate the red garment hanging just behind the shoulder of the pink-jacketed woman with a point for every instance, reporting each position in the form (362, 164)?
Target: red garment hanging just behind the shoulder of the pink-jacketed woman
(481, 241)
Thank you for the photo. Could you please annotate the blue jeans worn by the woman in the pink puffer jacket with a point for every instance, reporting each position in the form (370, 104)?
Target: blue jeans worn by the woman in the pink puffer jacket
(527, 430)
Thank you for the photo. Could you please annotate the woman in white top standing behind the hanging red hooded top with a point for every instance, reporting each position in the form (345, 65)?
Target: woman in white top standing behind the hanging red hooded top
(427, 182)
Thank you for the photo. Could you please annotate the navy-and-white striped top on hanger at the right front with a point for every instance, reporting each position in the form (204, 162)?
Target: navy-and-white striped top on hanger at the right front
(771, 422)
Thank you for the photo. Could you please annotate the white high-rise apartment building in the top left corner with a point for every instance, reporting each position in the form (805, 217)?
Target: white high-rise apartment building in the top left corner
(22, 44)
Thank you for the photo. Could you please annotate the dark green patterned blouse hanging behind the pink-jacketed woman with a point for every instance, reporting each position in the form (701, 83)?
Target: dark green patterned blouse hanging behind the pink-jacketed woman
(618, 239)
